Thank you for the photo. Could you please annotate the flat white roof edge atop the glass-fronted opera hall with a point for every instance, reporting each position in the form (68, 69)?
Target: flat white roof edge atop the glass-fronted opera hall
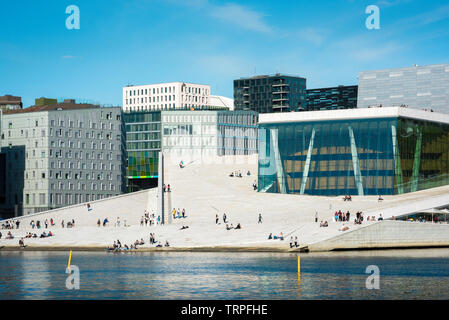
(348, 114)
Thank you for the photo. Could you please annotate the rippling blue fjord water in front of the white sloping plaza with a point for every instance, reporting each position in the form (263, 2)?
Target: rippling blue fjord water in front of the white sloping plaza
(408, 274)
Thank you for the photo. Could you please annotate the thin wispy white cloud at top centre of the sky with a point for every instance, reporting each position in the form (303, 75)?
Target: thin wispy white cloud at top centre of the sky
(241, 16)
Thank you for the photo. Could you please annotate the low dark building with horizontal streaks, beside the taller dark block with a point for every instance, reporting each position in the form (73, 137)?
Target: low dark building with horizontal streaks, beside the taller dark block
(341, 97)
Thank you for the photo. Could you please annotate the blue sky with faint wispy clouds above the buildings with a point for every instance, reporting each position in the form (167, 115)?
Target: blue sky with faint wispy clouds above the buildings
(208, 42)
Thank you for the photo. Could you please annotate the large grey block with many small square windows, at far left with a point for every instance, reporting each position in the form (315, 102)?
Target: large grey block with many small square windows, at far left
(62, 154)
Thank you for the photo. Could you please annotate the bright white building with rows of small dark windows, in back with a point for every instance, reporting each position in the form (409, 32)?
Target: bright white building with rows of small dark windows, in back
(165, 96)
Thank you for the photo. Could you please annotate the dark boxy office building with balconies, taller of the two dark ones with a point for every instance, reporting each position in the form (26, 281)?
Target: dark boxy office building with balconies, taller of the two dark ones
(268, 94)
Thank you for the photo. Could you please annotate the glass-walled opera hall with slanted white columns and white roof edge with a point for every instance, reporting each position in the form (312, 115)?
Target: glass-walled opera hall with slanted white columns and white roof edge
(372, 151)
